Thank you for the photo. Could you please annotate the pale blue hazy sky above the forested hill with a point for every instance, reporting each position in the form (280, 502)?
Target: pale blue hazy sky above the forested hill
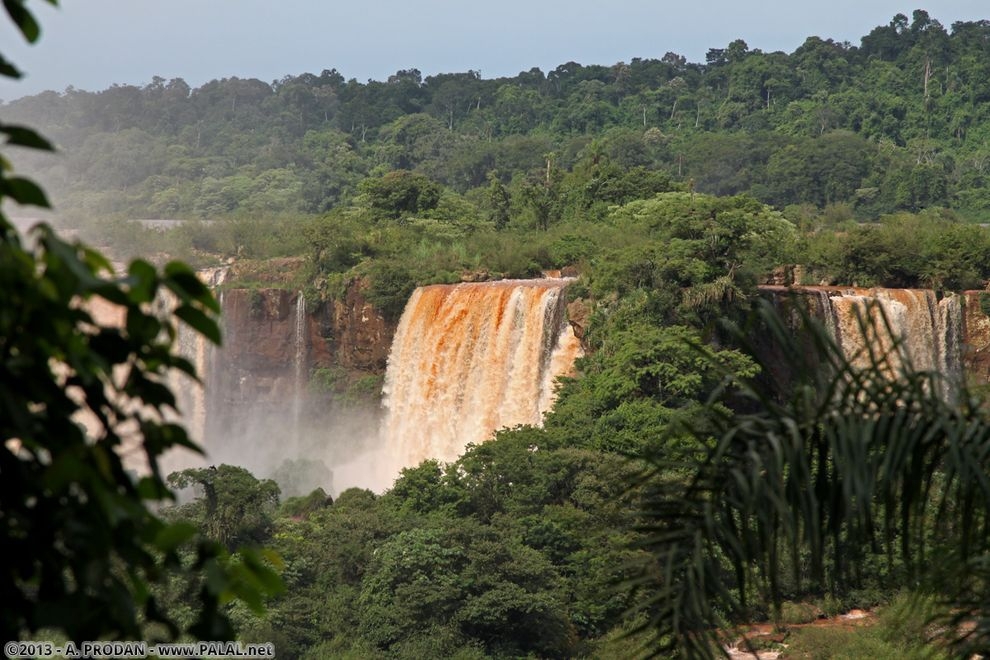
(92, 44)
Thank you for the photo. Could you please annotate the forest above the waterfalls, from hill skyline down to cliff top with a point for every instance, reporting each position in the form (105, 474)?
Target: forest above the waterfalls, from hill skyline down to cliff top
(831, 135)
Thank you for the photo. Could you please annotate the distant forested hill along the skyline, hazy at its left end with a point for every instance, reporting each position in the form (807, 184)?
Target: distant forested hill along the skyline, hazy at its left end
(900, 122)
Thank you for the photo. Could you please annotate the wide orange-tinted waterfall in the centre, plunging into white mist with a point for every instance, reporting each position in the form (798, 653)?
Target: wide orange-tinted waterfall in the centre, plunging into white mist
(469, 359)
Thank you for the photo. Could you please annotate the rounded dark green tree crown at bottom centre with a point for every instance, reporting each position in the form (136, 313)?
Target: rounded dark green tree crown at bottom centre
(468, 575)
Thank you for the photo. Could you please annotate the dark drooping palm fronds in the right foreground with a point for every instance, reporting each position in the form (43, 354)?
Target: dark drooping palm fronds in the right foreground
(849, 457)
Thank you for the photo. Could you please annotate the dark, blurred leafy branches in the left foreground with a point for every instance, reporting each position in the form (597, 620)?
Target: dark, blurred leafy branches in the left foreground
(82, 545)
